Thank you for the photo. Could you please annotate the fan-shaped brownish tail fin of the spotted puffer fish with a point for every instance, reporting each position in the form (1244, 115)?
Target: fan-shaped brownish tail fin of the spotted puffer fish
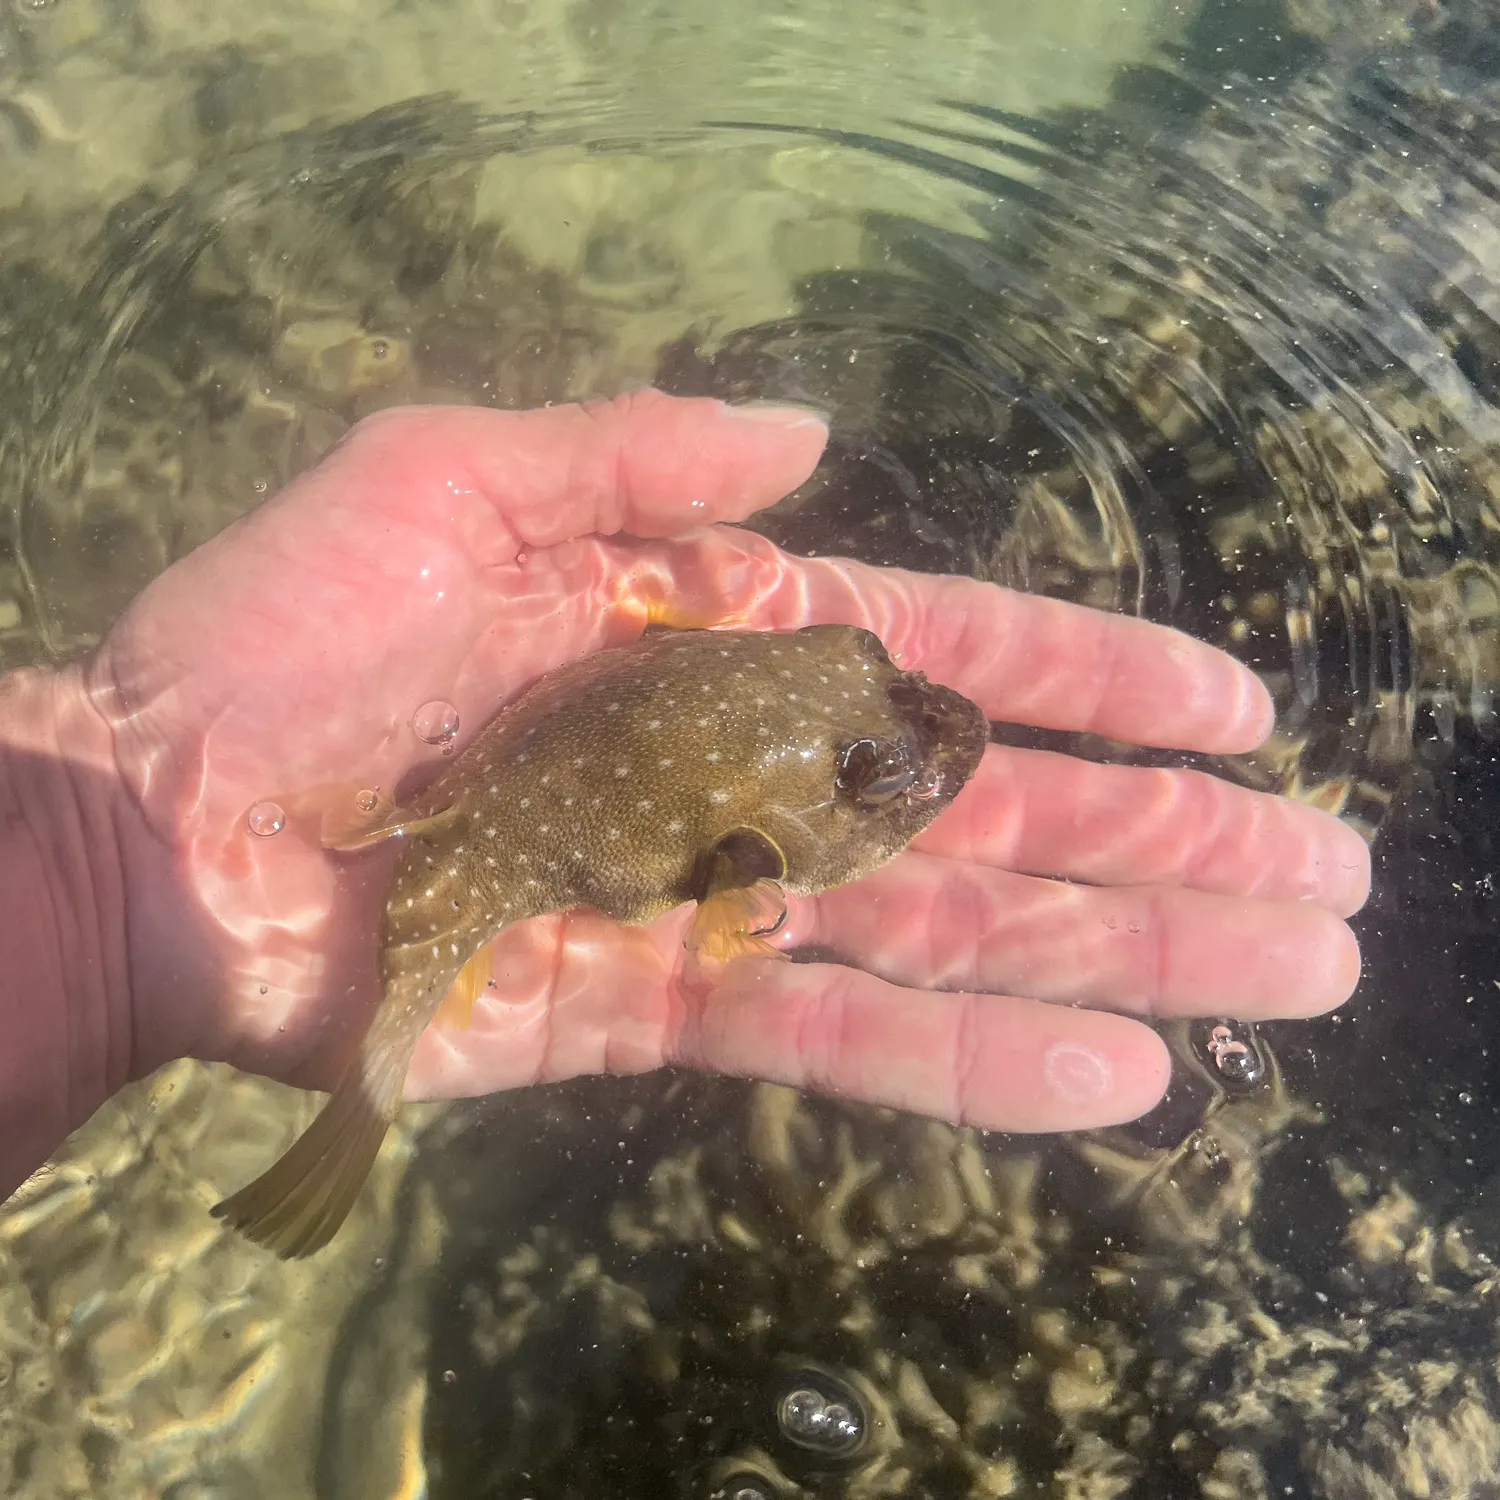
(298, 1205)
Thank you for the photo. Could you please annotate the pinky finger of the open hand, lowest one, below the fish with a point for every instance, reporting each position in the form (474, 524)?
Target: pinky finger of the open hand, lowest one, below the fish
(977, 1060)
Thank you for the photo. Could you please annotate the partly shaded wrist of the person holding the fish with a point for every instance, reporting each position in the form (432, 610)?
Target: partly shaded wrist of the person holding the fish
(65, 1006)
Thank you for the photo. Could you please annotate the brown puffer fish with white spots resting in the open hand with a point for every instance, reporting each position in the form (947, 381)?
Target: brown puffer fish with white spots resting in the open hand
(725, 769)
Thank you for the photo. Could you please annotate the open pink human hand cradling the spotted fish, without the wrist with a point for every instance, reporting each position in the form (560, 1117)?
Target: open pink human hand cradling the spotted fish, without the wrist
(457, 556)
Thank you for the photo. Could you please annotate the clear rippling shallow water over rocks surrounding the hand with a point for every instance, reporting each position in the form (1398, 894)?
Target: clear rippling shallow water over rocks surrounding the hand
(1202, 325)
